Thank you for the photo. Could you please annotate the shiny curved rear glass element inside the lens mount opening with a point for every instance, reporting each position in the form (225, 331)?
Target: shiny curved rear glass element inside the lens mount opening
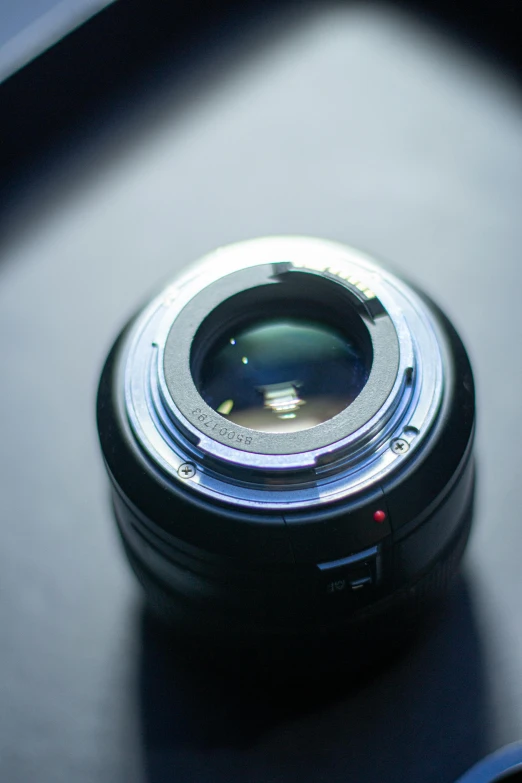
(282, 374)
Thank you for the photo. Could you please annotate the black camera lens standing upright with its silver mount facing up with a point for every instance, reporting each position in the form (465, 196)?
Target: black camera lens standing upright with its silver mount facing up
(288, 432)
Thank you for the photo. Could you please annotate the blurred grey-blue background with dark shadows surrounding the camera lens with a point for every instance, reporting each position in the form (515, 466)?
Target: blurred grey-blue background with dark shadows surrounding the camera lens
(135, 137)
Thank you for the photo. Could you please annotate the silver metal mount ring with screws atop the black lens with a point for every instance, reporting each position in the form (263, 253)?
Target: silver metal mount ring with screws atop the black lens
(375, 435)
